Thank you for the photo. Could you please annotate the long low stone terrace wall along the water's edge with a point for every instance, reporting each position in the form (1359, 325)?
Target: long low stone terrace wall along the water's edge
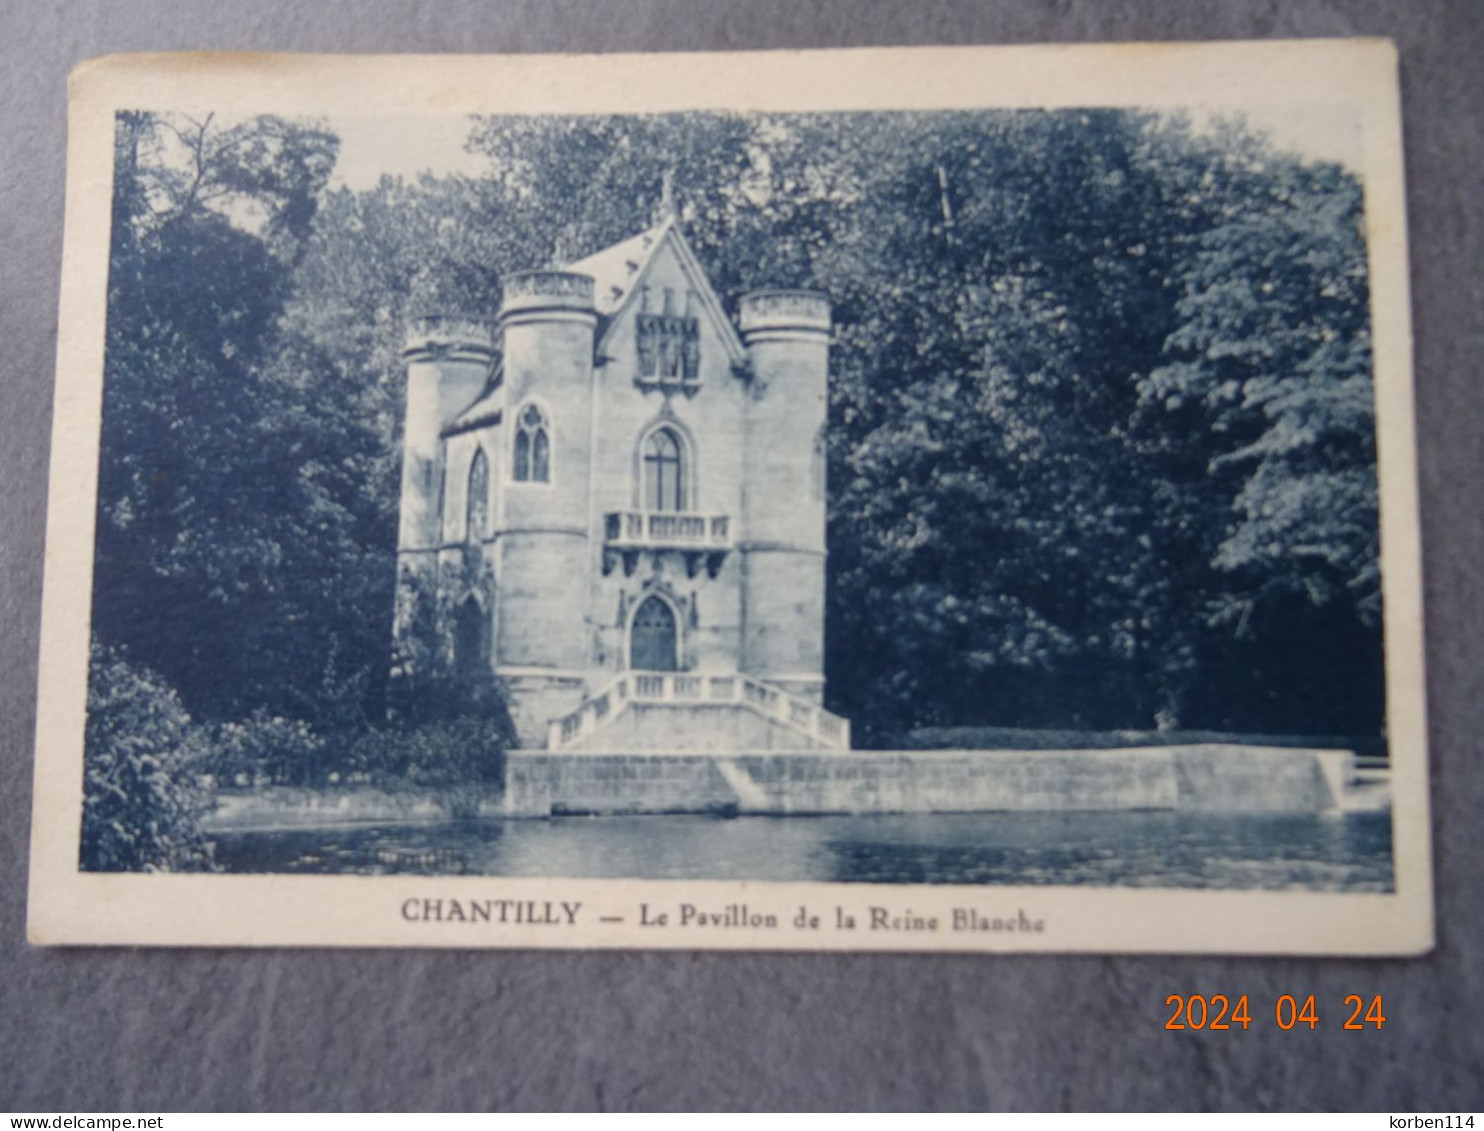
(1218, 778)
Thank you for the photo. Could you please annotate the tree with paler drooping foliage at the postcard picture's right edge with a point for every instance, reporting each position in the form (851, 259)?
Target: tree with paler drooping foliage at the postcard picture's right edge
(1270, 370)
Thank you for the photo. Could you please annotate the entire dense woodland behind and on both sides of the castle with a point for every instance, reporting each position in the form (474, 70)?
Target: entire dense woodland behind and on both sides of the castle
(1102, 440)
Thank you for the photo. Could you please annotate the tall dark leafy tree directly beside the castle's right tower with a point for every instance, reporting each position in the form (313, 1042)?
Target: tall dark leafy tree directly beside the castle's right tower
(986, 424)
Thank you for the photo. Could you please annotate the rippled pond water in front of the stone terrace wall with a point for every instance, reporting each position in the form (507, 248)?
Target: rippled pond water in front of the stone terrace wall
(1145, 850)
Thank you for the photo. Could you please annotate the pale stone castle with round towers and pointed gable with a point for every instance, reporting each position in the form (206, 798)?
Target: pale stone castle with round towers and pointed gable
(630, 507)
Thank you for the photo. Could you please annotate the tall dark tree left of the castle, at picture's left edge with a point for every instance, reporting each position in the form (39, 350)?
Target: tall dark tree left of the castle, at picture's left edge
(237, 545)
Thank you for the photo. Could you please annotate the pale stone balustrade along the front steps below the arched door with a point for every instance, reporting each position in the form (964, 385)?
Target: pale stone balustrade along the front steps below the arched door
(827, 730)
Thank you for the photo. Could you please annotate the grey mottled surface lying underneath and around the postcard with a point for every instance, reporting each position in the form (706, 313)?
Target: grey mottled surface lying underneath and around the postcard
(231, 1029)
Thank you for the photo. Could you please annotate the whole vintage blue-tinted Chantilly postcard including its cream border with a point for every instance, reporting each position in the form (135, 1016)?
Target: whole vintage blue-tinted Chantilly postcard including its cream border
(937, 499)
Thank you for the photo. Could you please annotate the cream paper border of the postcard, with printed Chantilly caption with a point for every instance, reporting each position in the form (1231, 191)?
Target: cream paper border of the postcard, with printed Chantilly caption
(73, 908)
